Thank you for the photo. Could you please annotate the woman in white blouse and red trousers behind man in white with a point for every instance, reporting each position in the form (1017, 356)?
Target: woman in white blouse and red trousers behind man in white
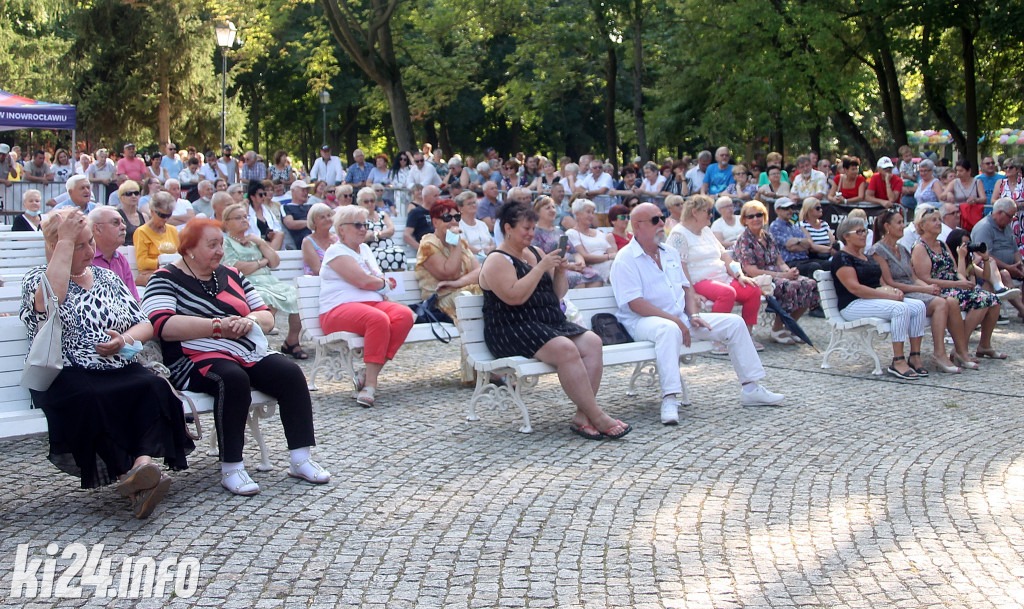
(709, 267)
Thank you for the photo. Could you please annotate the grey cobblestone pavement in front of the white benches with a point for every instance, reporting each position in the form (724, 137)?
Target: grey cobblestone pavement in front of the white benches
(862, 492)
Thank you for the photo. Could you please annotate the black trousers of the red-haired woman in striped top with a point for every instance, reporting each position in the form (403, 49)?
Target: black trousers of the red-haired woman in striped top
(230, 384)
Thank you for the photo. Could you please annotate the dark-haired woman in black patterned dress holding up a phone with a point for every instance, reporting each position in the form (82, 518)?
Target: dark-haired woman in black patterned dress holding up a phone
(523, 289)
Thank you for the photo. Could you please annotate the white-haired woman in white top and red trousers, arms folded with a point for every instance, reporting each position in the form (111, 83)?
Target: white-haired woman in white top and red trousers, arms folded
(353, 299)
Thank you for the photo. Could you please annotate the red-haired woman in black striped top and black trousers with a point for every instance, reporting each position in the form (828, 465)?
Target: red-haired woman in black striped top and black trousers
(211, 322)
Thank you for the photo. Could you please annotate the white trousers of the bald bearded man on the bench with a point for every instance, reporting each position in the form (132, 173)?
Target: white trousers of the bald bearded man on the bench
(726, 328)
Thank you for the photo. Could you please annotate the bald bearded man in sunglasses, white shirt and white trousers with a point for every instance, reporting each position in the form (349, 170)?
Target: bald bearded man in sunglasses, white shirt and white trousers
(658, 304)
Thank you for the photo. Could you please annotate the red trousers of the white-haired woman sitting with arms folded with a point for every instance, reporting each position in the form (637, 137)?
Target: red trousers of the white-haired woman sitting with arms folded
(383, 326)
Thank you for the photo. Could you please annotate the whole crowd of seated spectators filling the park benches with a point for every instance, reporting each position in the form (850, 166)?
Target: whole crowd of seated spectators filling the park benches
(549, 239)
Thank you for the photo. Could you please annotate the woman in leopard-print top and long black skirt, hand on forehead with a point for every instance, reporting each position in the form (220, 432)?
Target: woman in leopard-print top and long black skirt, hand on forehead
(109, 418)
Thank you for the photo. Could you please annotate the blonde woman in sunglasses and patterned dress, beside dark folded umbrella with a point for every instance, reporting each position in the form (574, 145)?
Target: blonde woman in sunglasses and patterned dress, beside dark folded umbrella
(758, 255)
